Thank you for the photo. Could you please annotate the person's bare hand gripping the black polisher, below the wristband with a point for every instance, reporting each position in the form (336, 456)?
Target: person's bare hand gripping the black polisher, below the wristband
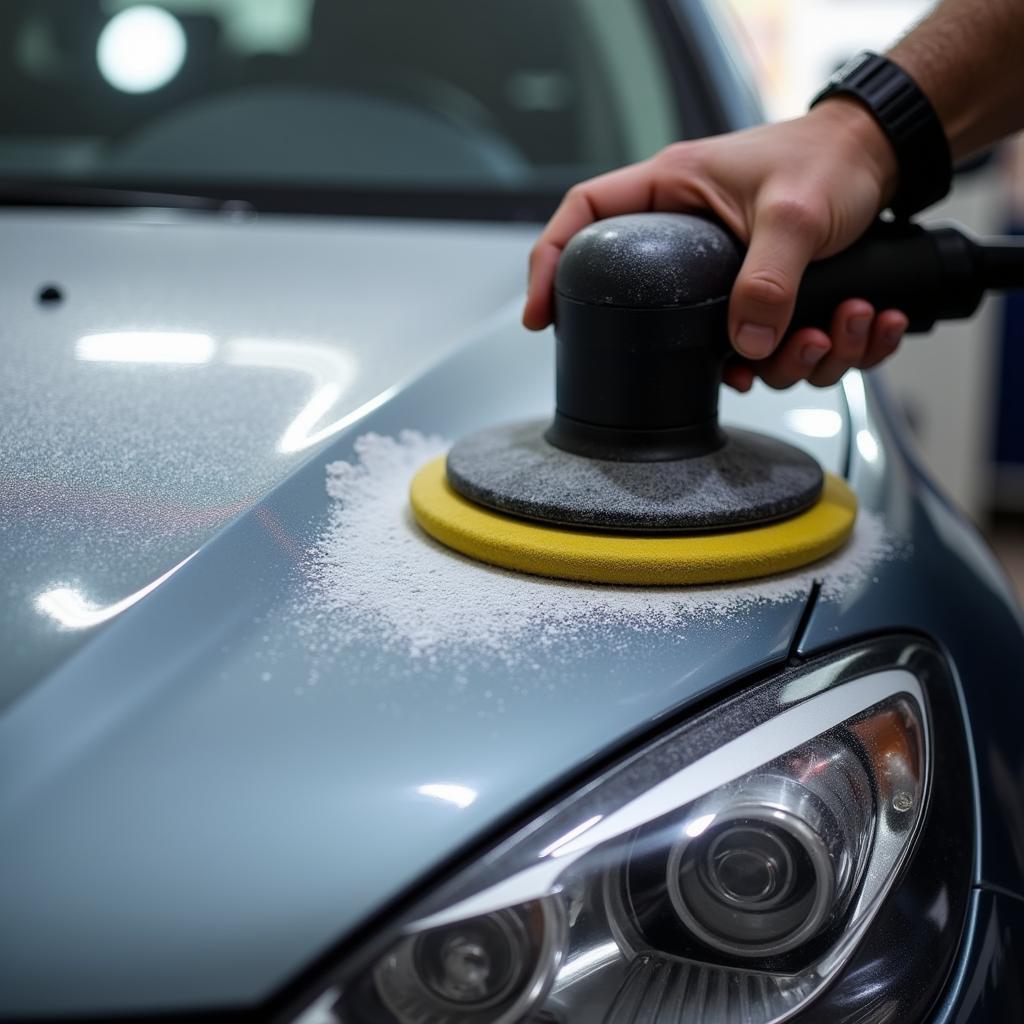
(793, 192)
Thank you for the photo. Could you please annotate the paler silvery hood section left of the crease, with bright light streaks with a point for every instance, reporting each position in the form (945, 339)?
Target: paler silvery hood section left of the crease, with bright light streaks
(193, 363)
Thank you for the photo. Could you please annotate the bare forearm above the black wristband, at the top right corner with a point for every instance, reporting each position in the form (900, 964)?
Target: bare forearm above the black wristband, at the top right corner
(966, 57)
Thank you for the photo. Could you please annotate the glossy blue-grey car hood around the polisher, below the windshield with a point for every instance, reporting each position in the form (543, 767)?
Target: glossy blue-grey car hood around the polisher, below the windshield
(199, 791)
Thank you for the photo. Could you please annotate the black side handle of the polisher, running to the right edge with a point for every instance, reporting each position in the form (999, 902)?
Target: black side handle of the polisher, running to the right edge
(930, 274)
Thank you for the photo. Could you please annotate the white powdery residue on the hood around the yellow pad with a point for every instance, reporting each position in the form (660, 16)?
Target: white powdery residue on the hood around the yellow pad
(376, 577)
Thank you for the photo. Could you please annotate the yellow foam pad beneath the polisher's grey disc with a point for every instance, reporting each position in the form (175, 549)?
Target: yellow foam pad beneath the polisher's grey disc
(634, 560)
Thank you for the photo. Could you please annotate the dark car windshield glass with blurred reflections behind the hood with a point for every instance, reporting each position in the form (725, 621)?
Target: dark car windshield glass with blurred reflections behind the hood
(401, 96)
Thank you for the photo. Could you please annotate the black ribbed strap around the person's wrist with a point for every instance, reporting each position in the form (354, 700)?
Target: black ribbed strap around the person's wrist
(909, 120)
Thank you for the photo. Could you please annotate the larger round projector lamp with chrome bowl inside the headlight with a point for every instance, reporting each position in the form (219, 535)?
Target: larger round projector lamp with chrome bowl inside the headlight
(765, 865)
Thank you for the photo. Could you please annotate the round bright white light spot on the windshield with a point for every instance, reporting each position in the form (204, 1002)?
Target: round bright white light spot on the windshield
(142, 49)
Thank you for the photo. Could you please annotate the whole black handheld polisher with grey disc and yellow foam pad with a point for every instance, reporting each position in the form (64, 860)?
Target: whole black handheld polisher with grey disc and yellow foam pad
(634, 481)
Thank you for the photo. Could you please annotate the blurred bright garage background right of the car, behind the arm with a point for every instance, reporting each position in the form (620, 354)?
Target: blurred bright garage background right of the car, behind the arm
(956, 386)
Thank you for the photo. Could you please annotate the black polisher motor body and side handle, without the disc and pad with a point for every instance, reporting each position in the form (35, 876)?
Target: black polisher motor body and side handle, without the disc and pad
(642, 331)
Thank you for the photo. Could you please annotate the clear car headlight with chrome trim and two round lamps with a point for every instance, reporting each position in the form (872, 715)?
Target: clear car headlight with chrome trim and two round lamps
(729, 872)
